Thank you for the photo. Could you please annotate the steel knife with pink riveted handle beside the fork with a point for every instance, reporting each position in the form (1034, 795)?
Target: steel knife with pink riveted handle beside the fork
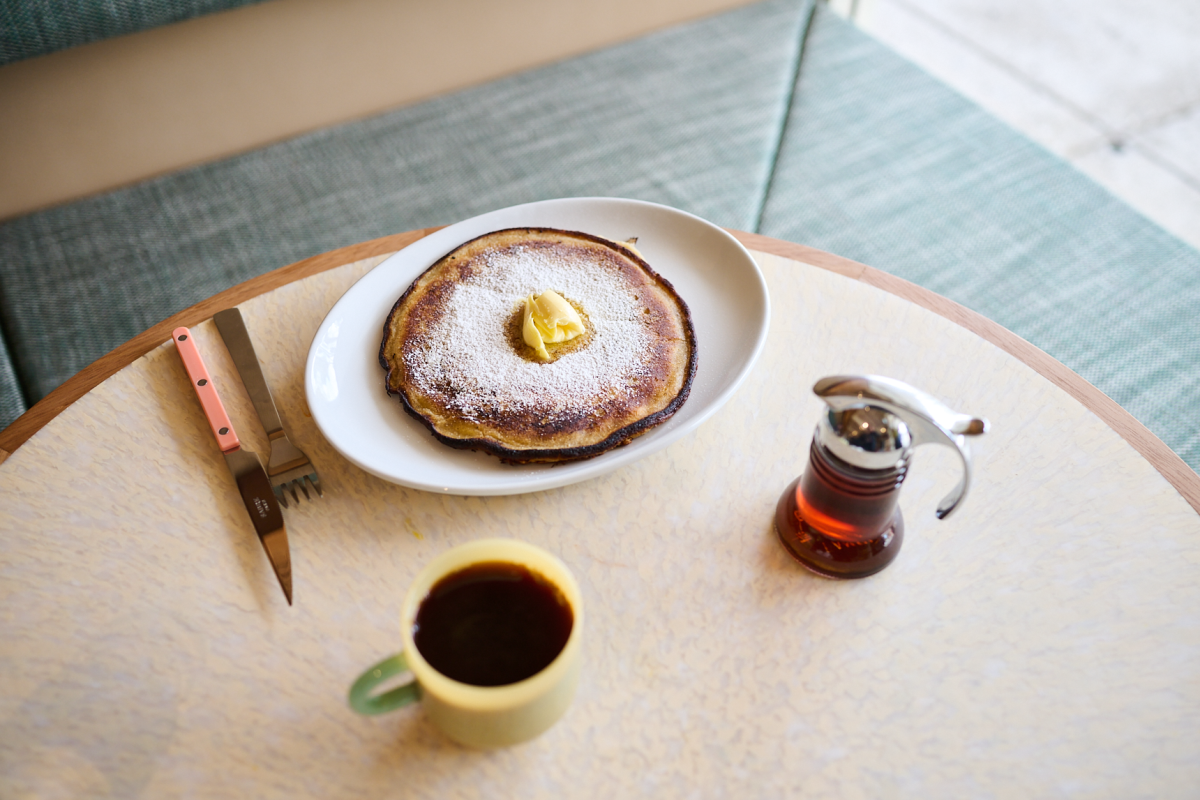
(248, 471)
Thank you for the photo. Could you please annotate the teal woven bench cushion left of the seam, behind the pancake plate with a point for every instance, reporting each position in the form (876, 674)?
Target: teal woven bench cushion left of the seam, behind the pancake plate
(688, 117)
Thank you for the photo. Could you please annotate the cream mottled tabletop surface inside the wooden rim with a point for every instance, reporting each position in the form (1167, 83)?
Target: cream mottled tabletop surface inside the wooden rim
(1042, 642)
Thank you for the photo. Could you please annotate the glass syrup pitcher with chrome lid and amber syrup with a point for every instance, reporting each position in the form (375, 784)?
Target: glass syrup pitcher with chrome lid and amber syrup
(842, 519)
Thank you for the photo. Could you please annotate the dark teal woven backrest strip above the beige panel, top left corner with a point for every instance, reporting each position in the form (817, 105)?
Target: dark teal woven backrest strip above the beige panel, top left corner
(31, 28)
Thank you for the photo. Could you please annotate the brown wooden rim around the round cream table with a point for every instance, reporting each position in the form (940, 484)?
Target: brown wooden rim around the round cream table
(1151, 448)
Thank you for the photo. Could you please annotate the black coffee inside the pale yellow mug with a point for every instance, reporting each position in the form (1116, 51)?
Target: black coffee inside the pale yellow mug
(493, 624)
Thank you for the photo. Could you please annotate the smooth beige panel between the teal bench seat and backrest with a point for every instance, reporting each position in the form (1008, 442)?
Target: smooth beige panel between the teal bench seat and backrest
(107, 115)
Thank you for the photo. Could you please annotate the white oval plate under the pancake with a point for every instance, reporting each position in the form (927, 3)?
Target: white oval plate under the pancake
(712, 272)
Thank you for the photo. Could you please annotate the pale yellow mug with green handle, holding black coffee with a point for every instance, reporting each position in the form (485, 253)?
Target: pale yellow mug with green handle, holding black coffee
(481, 715)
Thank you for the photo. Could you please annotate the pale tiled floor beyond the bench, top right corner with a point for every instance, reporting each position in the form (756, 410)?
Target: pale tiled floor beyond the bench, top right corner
(1111, 86)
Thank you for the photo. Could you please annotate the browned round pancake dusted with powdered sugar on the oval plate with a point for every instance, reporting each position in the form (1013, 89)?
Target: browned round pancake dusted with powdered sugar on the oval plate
(454, 353)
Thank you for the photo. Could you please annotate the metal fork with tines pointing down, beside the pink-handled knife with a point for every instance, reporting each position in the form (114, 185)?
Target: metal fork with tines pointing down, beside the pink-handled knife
(287, 467)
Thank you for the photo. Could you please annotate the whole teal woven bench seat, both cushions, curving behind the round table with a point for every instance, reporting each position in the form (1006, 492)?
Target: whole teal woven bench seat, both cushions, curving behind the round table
(777, 118)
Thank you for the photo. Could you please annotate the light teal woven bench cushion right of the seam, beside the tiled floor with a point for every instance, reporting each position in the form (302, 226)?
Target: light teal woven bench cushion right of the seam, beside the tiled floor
(884, 165)
